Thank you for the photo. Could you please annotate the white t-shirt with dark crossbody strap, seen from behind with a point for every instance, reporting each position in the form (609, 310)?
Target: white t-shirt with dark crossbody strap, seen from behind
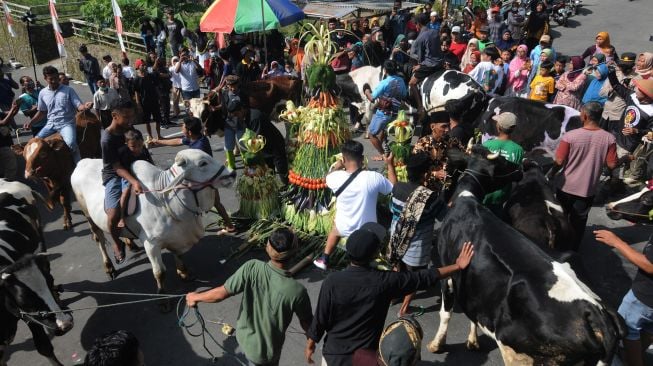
(356, 205)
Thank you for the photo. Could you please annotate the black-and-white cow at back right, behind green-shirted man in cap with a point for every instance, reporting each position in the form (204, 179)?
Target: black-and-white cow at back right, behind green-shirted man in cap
(539, 126)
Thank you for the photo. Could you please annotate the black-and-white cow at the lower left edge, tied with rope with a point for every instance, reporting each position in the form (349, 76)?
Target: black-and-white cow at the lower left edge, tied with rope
(26, 286)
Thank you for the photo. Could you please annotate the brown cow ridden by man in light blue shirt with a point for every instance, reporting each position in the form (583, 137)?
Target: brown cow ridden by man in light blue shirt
(50, 160)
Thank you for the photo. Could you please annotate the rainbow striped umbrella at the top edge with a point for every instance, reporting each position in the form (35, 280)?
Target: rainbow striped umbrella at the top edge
(245, 16)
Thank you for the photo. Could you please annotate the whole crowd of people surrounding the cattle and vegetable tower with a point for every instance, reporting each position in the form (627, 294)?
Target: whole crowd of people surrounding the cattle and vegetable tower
(505, 50)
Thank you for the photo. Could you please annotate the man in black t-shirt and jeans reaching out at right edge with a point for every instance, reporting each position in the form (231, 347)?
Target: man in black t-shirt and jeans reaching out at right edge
(637, 306)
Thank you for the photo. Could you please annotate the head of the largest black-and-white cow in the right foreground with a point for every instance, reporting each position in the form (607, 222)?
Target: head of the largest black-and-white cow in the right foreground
(488, 172)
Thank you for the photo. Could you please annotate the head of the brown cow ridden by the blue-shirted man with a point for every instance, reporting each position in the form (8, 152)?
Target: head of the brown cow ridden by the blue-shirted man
(46, 158)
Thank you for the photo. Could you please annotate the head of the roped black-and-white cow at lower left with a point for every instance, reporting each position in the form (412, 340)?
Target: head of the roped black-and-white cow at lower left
(30, 294)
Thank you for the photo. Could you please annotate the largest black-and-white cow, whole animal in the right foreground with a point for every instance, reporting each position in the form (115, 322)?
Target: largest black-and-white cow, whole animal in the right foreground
(535, 308)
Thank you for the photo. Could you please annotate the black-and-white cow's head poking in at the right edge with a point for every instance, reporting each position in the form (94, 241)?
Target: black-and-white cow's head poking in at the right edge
(635, 208)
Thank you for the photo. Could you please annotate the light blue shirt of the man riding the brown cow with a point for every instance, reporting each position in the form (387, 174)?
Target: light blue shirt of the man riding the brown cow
(61, 105)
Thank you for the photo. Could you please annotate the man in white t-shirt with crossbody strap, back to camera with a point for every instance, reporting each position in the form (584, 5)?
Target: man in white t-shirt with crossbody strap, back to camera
(356, 202)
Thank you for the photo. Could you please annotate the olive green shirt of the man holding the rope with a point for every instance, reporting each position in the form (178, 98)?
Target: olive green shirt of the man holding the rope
(270, 298)
